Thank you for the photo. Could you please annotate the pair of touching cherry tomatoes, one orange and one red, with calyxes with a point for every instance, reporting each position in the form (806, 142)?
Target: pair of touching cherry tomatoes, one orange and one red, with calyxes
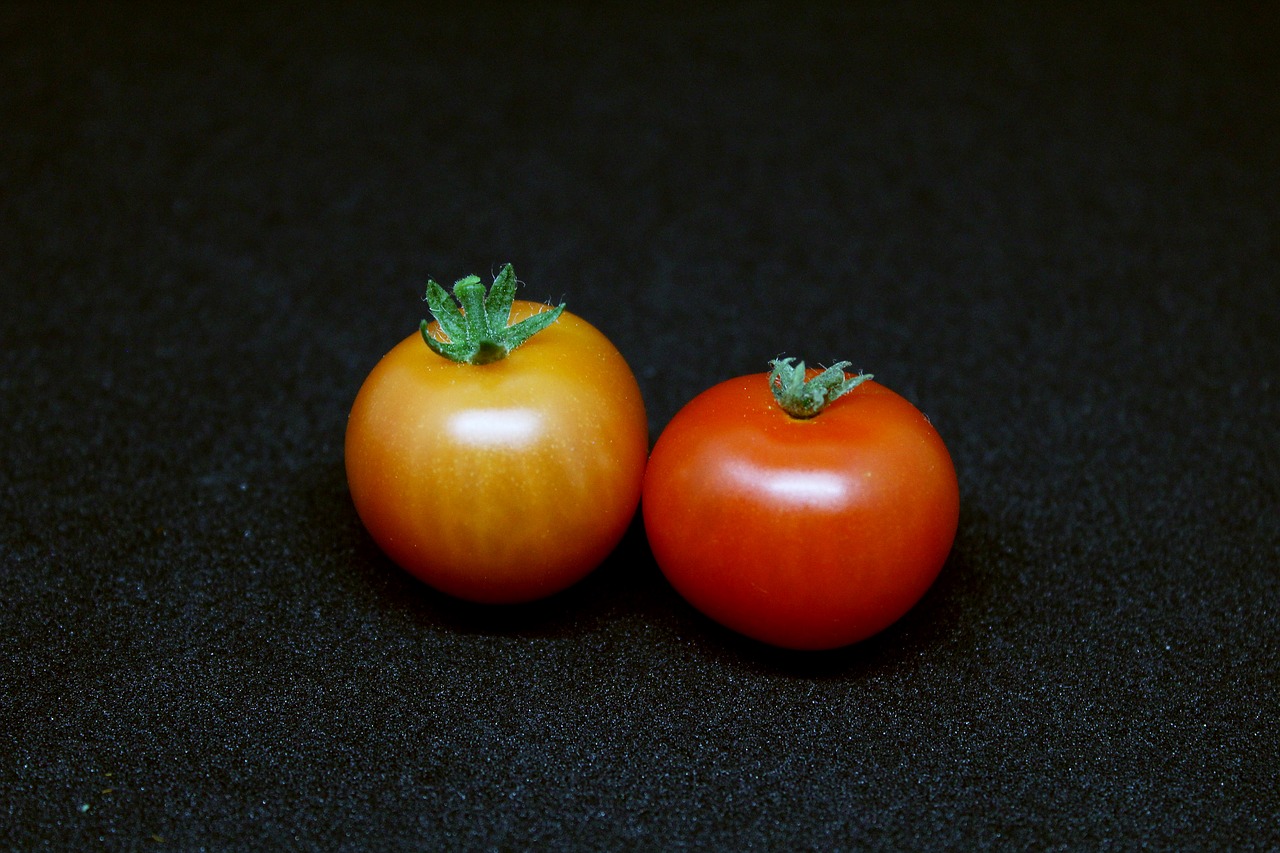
(804, 509)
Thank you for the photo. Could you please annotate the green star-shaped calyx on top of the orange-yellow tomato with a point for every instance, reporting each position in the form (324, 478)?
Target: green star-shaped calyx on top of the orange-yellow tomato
(476, 321)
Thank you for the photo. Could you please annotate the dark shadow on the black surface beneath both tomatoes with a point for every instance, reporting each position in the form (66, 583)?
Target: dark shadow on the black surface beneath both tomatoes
(629, 589)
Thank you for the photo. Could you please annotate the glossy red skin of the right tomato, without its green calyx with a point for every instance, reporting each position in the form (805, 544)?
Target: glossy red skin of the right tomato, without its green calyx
(807, 535)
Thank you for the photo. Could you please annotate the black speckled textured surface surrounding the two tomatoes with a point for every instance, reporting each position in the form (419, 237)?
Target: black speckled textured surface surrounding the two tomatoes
(1055, 231)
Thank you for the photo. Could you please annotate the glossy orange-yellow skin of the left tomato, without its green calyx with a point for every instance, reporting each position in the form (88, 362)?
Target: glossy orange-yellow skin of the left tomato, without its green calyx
(505, 482)
